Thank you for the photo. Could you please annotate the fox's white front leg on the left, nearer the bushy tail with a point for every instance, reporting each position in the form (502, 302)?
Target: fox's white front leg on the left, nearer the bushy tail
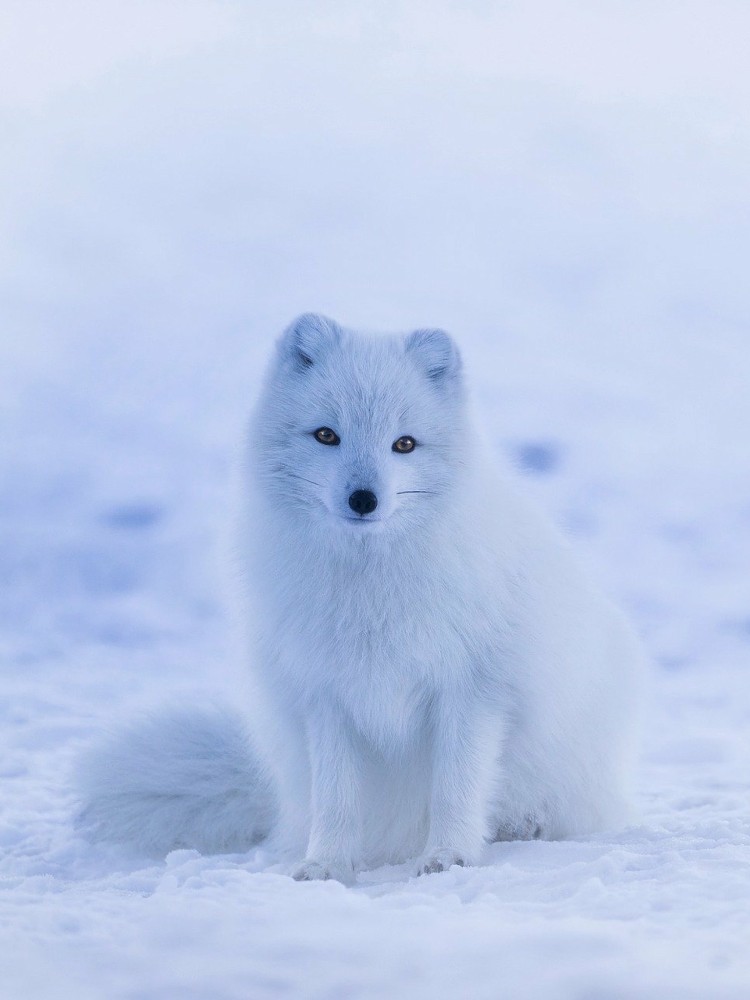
(334, 847)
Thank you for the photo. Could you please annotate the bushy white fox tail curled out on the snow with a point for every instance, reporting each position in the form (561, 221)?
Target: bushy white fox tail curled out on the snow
(189, 778)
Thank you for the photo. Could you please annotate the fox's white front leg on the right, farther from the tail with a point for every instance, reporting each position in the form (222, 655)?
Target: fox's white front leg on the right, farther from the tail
(465, 759)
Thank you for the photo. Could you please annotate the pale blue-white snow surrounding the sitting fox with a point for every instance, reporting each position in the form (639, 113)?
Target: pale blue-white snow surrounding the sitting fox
(564, 187)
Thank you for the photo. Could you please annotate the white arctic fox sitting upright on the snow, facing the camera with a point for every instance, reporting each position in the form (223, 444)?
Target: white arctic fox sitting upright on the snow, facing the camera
(432, 670)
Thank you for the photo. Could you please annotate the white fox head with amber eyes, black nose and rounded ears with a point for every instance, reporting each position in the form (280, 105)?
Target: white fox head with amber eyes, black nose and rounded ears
(360, 433)
